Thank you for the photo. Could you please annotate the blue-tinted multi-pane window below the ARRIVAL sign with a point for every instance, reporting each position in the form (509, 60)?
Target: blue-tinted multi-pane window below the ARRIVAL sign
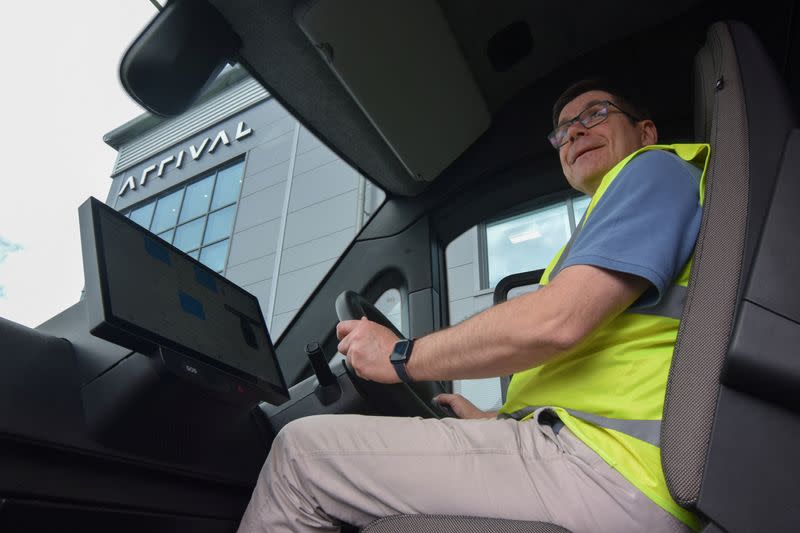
(197, 218)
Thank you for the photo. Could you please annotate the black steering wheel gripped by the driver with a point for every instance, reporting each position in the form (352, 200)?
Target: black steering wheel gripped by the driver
(411, 400)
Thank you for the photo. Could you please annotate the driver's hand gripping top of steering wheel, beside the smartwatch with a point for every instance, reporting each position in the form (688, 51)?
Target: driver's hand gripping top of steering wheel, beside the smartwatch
(367, 346)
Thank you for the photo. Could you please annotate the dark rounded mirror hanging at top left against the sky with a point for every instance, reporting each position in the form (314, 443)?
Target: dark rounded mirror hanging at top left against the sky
(177, 55)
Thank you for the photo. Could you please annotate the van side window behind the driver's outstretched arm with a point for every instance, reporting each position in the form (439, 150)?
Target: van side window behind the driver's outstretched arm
(479, 258)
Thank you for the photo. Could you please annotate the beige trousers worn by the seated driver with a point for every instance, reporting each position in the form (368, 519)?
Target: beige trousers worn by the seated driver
(328, 469)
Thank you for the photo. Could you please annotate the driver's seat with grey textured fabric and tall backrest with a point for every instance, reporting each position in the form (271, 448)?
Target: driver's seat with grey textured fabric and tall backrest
(732, 72)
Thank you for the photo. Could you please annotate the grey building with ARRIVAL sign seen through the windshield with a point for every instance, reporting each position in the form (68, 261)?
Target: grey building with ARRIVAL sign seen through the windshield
(240, 185)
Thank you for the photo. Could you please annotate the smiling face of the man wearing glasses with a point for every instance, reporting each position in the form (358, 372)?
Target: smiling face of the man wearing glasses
(590, 153)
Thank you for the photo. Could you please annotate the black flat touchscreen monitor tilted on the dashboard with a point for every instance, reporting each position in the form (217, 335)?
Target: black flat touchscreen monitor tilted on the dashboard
(147, 295)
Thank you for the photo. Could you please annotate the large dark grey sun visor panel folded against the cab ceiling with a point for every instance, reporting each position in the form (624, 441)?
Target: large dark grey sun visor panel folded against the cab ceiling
(402, 65)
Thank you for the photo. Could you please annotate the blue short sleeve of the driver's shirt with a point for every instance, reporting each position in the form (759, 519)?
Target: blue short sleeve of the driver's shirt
(645, 224)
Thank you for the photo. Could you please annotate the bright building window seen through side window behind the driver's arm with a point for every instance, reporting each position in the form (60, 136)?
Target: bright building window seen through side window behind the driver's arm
(528, 240)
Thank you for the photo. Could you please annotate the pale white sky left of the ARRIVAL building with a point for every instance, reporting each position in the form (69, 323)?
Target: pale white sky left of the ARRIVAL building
(61, 94)
